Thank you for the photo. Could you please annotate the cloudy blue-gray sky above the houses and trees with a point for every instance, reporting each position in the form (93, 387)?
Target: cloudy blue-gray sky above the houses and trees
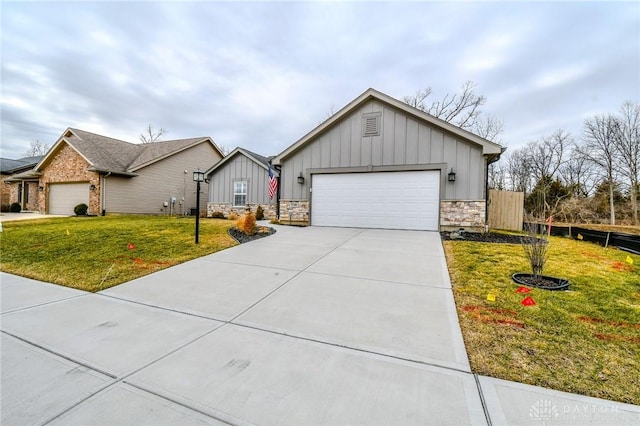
(262, 74)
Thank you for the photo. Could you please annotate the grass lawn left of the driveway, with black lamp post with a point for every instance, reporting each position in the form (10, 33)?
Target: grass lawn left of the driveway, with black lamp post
(94, 253)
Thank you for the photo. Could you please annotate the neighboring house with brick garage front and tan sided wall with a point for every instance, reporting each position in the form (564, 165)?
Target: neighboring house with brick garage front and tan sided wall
(114, 176)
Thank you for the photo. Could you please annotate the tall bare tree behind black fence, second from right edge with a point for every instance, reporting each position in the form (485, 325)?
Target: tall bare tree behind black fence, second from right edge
(599, 134)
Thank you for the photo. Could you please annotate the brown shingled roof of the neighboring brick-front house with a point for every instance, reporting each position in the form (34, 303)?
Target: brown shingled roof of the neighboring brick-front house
(109, 155)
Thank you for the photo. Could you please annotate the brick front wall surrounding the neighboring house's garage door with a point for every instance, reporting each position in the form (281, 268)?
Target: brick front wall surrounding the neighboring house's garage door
(68, 166)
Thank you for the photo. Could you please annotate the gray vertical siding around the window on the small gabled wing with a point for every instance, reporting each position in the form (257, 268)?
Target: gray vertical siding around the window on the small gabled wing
(239, 168)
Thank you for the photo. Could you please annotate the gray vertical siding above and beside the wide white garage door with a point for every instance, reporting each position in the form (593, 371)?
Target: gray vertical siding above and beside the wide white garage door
(403, 140)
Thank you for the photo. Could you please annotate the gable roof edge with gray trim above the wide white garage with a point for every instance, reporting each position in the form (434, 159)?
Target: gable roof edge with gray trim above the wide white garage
(488, 147)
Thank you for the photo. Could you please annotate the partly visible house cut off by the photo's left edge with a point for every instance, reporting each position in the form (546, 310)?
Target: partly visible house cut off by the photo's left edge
(24, 192)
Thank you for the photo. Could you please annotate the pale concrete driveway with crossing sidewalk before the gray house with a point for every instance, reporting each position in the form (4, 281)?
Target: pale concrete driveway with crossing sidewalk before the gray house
(308, 326)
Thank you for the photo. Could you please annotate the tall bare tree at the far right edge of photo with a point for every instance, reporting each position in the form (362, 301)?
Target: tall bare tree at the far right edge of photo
(627, 143)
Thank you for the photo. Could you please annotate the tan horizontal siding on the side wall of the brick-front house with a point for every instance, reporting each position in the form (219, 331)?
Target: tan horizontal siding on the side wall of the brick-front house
(158, 182)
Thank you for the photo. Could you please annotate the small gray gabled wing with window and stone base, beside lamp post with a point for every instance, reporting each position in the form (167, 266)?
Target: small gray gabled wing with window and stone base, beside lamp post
(240, 181)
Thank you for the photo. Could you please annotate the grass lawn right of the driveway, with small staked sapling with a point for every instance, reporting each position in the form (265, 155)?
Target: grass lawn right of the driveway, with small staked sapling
(585, 340)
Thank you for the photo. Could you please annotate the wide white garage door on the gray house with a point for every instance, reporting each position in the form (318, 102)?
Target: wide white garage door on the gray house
(390, 200)
